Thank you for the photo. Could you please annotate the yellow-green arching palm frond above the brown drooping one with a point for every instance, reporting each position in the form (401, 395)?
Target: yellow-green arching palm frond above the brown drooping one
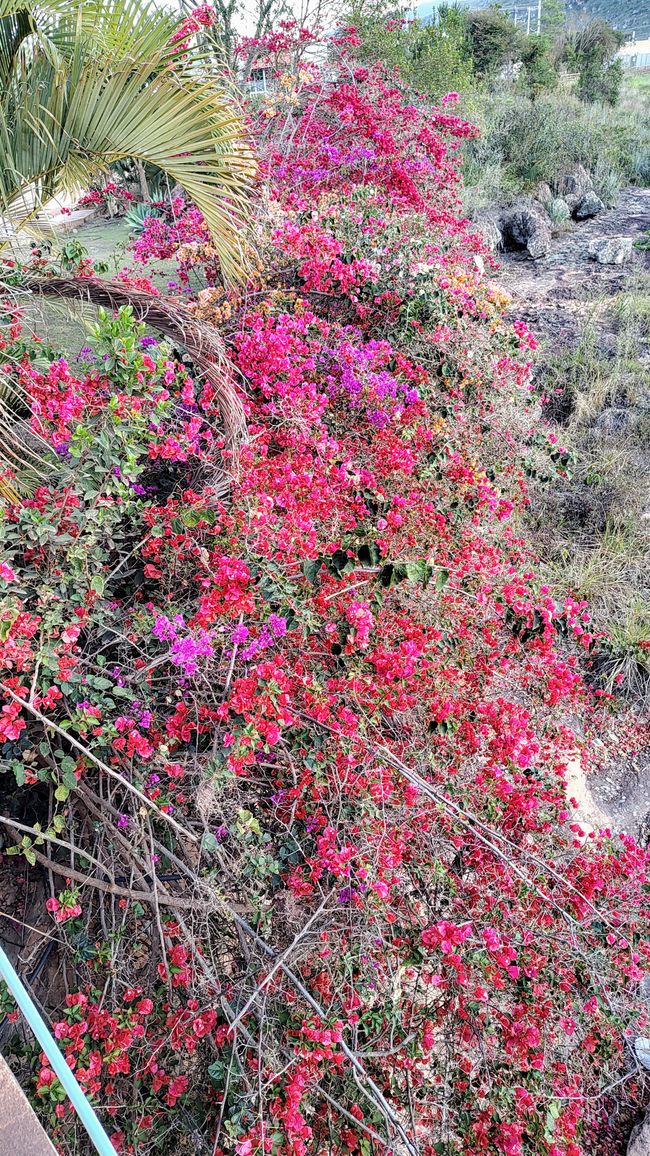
(88, 83)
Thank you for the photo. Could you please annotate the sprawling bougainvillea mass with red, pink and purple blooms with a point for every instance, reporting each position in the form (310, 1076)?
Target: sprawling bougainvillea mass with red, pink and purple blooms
(291, 718)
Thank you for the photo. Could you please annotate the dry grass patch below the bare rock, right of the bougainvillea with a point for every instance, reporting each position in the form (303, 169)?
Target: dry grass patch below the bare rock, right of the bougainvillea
(594, 529)
